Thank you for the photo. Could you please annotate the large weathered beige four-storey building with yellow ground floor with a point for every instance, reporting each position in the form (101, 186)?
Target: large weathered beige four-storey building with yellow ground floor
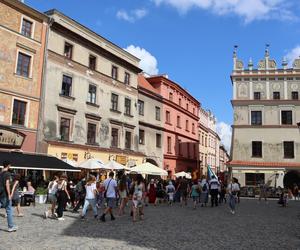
(91, 96)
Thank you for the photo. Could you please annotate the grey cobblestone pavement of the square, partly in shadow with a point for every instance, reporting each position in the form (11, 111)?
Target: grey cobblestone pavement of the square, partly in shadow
(254, 226)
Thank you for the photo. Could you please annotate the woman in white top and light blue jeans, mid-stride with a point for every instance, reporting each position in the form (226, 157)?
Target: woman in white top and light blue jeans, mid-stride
(90, 197)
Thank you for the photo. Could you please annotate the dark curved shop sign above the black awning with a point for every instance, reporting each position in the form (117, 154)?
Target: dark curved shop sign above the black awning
(11, 138)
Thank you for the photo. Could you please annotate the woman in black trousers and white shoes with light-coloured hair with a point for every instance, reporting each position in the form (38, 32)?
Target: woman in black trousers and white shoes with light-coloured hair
(62, 196)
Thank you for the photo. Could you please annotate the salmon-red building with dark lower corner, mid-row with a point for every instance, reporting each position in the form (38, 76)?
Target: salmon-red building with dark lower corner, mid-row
(180, 120)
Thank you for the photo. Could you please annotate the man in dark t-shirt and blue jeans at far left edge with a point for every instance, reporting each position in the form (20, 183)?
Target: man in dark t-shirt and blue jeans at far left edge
(6, 196)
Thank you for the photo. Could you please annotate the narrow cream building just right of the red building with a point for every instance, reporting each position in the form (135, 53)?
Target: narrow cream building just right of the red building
(209, 142)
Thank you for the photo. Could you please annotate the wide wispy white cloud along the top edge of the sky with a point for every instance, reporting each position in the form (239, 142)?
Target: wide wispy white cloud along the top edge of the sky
(248, 10)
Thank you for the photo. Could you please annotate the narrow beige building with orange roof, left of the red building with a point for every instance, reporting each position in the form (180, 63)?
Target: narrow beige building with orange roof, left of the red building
(150, 108)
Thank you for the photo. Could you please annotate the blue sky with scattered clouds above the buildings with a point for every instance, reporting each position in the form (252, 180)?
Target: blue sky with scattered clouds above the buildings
(192, 40)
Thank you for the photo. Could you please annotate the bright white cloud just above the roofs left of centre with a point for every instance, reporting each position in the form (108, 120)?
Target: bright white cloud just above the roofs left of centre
(148, 62)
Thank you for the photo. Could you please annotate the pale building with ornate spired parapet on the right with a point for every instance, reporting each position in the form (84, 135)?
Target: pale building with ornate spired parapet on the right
(265, 142)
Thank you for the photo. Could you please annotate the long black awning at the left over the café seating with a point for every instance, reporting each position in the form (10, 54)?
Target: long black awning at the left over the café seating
(20, 160)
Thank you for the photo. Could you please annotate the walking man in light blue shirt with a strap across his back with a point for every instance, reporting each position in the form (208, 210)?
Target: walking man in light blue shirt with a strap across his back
(110, 194)
